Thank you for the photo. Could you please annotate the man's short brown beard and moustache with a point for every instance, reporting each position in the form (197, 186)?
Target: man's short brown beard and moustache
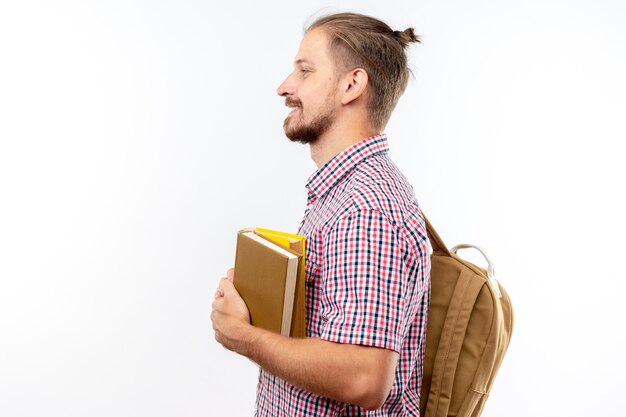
(308, 132)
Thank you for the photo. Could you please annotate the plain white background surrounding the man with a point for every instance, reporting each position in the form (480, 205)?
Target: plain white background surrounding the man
(136, 137)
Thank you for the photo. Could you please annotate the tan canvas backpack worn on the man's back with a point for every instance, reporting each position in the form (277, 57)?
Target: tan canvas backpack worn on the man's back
(469, 327)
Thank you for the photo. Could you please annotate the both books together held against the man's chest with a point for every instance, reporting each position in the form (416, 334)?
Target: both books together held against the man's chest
(270, 276)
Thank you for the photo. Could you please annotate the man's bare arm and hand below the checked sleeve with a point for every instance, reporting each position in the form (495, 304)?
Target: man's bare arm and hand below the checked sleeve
(354, 374)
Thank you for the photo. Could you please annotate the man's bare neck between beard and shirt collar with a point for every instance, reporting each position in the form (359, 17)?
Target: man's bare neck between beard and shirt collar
(335, 140)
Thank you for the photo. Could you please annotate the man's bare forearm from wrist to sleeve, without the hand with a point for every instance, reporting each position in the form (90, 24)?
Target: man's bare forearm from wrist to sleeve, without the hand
(354, 374)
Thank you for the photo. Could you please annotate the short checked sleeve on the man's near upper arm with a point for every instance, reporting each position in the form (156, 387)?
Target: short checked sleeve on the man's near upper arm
(364, 282)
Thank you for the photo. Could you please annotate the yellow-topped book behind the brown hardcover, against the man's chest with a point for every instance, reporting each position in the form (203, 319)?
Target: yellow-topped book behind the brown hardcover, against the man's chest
(297, 244)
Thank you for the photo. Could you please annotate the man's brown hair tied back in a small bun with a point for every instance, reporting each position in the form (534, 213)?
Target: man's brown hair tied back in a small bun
(359, 41)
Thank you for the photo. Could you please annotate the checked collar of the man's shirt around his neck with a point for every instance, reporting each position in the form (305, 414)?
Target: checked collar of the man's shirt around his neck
(341, 164)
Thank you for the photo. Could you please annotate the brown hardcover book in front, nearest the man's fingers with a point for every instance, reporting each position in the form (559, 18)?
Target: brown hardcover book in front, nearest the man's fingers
(265, 277)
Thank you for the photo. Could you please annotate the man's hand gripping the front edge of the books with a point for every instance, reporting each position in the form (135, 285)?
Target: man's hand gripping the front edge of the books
(230, 315)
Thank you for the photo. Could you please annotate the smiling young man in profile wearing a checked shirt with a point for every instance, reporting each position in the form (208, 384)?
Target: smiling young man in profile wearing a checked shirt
(368, 266)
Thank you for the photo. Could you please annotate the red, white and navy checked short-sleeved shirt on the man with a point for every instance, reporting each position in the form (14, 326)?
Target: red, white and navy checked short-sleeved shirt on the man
(368, 277)
